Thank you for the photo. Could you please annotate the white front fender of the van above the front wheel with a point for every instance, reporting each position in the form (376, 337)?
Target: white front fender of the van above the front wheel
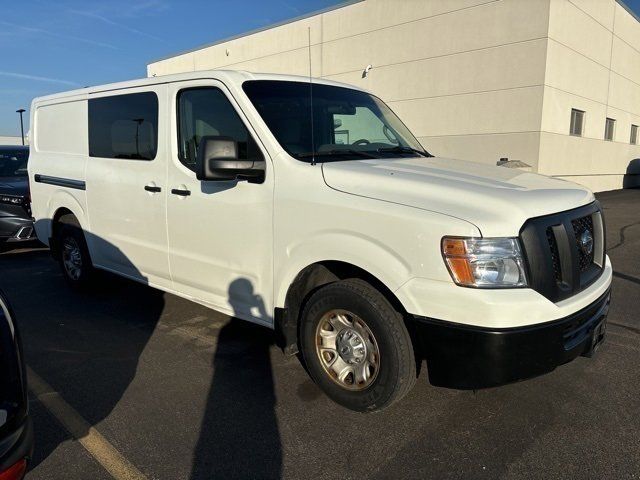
(314, 223)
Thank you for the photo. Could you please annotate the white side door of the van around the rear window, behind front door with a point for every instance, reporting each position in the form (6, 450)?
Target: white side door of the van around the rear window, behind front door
(128, 233)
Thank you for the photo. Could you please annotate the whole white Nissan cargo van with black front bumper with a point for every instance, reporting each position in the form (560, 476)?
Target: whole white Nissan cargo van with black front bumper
(309, 207)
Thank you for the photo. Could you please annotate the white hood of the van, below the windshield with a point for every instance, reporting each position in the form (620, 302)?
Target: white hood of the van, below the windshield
(497, 200)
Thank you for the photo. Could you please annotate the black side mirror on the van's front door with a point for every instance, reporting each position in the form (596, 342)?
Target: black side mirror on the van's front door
(218, 160)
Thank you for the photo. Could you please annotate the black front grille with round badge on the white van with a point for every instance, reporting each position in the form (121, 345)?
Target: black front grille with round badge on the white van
(562, 259)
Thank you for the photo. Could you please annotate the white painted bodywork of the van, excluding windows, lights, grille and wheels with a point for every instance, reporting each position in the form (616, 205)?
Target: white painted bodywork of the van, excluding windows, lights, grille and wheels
(237, 247)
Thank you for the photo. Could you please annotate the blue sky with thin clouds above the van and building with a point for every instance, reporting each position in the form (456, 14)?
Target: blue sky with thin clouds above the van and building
(50, 46)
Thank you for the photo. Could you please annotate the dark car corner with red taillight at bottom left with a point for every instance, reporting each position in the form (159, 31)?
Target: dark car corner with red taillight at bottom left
(16, 433)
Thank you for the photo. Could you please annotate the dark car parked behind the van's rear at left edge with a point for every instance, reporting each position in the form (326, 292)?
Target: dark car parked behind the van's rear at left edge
(16, 224)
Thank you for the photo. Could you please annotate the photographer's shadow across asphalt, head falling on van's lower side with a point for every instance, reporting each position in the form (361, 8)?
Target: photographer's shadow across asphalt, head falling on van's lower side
(239, 436)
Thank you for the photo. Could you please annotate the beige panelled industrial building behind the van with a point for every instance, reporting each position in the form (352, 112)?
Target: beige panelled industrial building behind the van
(552, 83)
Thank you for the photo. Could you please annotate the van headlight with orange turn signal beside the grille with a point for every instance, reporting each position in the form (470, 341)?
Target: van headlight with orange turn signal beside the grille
(485, 262)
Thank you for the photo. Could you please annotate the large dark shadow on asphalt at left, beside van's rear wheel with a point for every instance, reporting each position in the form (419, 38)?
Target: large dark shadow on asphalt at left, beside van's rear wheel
(71, 339)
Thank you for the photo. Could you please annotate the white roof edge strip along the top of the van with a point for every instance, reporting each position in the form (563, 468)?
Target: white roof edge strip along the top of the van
(225, 76)
